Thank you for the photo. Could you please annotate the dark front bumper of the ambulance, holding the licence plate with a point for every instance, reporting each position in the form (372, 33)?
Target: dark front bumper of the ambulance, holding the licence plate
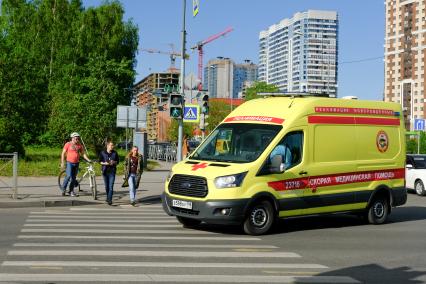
(224, 212)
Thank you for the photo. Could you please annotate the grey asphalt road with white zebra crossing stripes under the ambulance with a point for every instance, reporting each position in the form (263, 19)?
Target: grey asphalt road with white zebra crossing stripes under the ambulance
(91, 244)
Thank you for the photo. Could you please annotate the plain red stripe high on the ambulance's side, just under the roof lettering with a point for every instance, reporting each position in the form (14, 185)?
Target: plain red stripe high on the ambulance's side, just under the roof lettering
(352, 120)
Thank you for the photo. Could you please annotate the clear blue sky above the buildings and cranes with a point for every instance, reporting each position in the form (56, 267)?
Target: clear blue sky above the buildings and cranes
(361, 34)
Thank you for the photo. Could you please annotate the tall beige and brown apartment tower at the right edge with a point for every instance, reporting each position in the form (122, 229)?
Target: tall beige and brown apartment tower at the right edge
(405, 57)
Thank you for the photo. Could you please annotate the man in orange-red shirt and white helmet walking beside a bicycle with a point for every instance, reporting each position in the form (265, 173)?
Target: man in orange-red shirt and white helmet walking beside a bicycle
(72, 151)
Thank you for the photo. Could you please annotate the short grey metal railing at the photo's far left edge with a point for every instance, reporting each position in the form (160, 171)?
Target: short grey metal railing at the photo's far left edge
(9, 170)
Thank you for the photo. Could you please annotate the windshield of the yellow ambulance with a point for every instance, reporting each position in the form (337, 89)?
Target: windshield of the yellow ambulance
(236, 142)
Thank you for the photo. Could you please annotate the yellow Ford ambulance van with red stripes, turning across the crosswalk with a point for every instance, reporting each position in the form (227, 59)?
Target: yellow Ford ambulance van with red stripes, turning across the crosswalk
(288, 156)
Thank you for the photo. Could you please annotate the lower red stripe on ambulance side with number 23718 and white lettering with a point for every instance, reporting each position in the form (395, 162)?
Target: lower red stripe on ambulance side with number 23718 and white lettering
(337, 179)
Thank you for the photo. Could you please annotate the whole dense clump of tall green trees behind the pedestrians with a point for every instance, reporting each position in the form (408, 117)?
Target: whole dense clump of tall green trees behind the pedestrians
(58, 60)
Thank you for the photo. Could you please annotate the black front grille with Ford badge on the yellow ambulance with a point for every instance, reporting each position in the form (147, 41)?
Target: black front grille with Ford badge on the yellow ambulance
(188, 186)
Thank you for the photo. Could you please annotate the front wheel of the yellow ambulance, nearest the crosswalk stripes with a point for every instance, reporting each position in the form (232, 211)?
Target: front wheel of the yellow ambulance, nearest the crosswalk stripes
(260, 218)
